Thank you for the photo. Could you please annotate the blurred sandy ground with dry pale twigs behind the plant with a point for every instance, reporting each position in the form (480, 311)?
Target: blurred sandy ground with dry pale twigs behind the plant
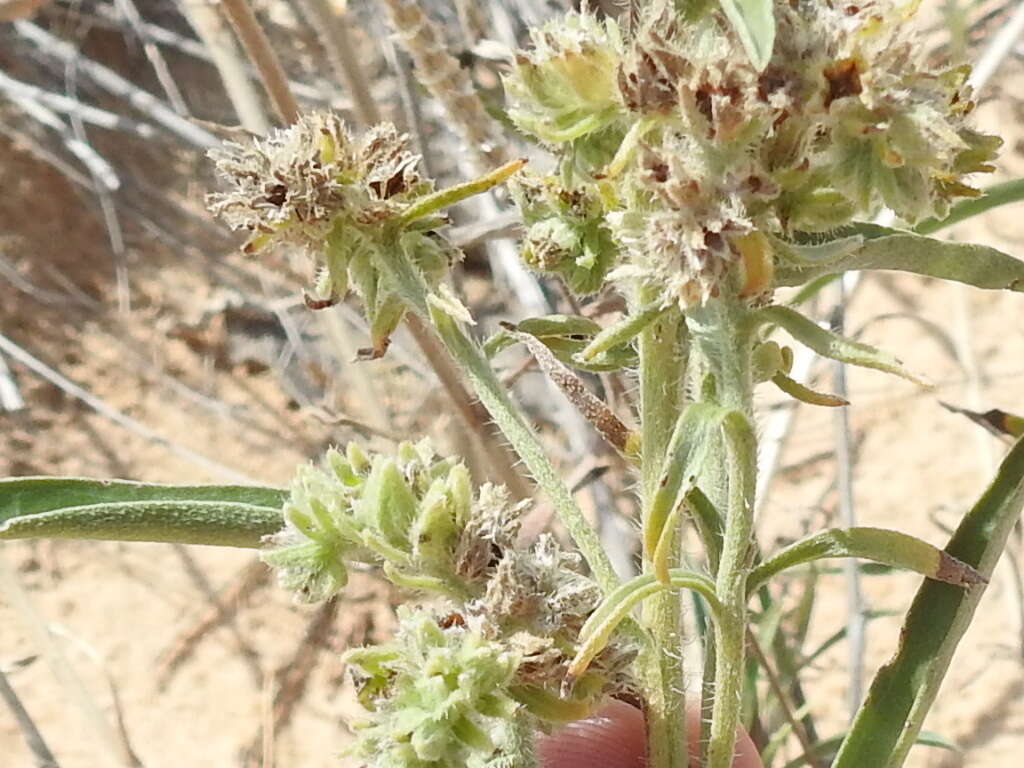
(138, 342)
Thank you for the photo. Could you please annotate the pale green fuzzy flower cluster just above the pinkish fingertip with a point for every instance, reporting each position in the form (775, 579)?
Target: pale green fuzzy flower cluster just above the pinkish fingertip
(446, 690)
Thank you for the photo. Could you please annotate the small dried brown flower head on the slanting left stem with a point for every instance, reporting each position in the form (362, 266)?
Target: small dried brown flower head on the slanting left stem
(317, 188)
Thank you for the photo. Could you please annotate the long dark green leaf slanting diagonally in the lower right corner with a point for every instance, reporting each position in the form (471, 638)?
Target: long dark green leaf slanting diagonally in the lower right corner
(904, 691)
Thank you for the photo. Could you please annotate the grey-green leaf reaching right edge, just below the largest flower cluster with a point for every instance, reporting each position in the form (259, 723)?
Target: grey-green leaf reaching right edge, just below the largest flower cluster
(891, 249)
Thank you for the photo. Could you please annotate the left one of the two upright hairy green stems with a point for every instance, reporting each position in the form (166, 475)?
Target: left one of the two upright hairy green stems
(662, 376)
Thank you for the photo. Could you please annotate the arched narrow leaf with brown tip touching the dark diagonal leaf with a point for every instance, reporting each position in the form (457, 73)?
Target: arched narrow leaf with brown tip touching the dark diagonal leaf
(880, 545)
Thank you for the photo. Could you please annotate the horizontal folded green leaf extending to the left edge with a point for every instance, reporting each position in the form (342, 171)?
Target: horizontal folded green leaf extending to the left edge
(119, 510)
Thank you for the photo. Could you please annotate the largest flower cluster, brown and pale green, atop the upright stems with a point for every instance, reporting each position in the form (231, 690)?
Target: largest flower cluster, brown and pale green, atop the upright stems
(688, 150)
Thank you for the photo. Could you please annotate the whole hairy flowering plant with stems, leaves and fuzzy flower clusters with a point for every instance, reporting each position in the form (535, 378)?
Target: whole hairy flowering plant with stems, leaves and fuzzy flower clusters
(705, 159)
